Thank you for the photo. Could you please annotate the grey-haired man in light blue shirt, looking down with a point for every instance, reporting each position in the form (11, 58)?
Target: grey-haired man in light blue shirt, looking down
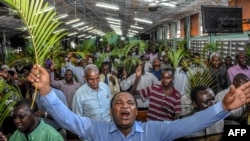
(93, 98)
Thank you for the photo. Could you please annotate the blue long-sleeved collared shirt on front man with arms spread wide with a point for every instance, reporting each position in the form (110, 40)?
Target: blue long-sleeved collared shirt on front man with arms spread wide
(142, 131)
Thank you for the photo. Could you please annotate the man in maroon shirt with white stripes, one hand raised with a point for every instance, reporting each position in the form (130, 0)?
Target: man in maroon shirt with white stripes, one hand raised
(164, 99)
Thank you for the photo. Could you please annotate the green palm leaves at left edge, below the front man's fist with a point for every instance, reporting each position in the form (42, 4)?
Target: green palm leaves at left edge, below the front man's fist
(9, 95)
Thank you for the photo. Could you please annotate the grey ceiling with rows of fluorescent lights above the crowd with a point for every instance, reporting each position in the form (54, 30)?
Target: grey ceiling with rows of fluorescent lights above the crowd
(95, 17)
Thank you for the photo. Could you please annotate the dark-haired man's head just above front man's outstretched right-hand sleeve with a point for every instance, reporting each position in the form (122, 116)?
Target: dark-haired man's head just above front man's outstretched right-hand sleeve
(202, 97)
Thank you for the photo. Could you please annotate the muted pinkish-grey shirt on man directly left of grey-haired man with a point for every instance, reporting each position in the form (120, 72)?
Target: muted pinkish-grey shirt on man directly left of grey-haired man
(68, 89)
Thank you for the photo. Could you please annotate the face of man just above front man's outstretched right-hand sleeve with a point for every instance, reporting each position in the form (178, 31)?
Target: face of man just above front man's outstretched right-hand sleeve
(204, 100)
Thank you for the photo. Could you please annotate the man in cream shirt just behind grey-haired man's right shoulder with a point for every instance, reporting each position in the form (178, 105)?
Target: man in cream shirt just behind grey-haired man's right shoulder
(108, 78)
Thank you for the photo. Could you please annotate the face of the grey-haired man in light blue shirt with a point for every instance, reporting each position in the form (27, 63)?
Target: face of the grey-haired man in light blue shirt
(92, 79)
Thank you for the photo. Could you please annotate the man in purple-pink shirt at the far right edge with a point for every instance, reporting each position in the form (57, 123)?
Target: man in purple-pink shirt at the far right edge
(240, 67)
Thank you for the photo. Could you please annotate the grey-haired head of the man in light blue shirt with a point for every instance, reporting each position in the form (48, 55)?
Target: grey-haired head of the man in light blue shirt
(92, 76)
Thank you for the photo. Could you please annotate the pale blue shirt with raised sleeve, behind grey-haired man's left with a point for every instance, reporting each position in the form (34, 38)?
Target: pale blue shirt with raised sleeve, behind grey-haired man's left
(78, 72)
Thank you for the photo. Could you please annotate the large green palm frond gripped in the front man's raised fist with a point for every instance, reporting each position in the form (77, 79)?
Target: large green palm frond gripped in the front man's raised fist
(40, 26)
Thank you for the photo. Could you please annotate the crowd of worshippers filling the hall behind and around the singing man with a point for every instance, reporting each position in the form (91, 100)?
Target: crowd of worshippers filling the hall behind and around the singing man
(102, 103)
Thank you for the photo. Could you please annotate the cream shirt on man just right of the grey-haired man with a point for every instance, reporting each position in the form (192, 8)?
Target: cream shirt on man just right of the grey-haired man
(114, 88)
